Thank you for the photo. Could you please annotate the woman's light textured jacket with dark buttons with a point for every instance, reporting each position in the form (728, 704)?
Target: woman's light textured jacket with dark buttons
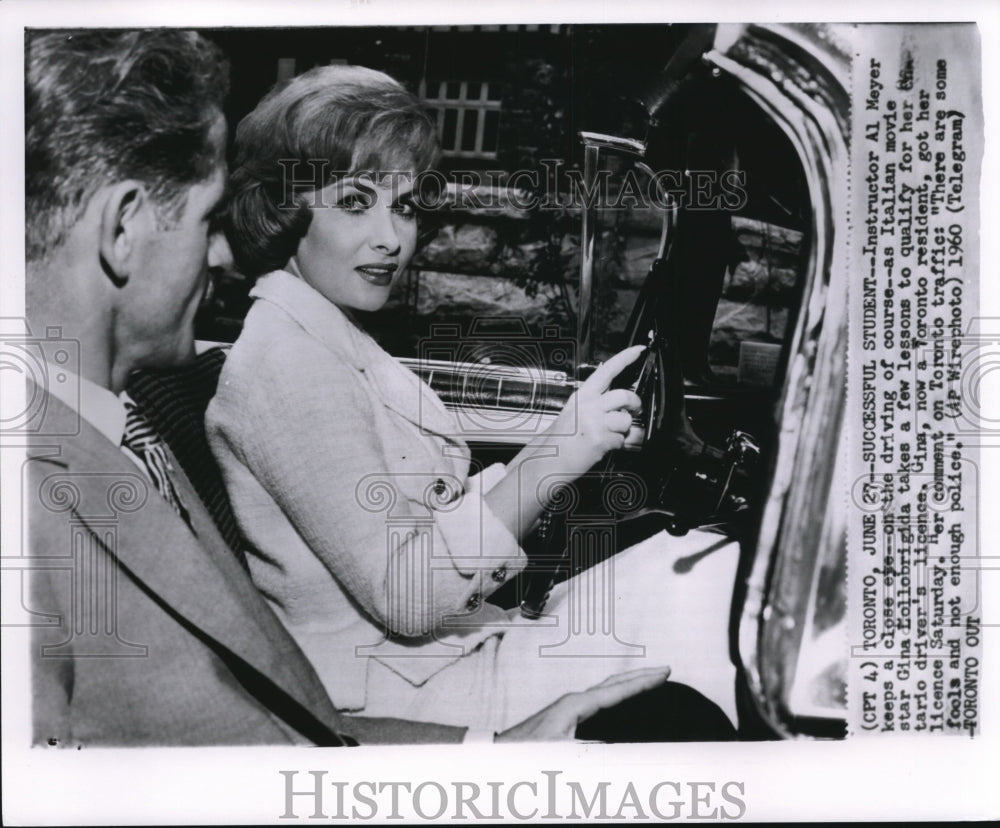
(352, 487)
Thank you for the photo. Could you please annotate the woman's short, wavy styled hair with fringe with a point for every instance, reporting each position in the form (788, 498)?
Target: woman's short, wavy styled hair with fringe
(330, 121)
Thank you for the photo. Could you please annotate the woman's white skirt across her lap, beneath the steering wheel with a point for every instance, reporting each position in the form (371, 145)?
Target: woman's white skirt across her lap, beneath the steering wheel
(665, 601)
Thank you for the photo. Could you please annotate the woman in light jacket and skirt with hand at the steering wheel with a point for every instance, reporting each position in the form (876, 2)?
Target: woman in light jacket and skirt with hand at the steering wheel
(369, 535)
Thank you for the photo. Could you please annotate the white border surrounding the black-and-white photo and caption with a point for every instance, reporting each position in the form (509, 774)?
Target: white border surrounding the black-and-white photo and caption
(878, 779)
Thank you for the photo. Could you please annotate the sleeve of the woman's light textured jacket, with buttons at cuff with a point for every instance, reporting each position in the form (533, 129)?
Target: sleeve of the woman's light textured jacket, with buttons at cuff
(301, 422)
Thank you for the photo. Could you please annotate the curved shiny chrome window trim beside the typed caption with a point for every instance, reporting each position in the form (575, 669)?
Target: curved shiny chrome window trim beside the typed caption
(810, 409)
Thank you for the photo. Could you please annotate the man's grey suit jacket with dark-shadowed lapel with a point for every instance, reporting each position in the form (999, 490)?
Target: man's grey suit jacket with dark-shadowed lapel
(146, 633)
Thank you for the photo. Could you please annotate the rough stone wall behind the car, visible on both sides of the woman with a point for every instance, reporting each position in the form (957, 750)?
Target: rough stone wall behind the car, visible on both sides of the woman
(504, 262)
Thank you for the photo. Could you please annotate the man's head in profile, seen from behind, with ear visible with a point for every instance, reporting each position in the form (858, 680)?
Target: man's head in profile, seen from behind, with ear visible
(124, 169)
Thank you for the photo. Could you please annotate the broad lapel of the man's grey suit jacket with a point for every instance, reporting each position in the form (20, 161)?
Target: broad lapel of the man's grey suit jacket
(198, 578)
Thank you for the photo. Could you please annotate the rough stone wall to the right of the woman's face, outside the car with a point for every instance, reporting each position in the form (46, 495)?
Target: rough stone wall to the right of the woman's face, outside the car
(482, 270)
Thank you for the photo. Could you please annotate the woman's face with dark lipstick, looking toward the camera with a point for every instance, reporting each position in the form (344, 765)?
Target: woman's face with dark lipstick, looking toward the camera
(362, 235)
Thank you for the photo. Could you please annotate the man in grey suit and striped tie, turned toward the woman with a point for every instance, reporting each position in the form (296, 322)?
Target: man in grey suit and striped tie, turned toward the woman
(157, 635)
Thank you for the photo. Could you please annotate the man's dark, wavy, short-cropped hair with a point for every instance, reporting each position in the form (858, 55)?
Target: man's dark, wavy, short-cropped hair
(104, 106)
